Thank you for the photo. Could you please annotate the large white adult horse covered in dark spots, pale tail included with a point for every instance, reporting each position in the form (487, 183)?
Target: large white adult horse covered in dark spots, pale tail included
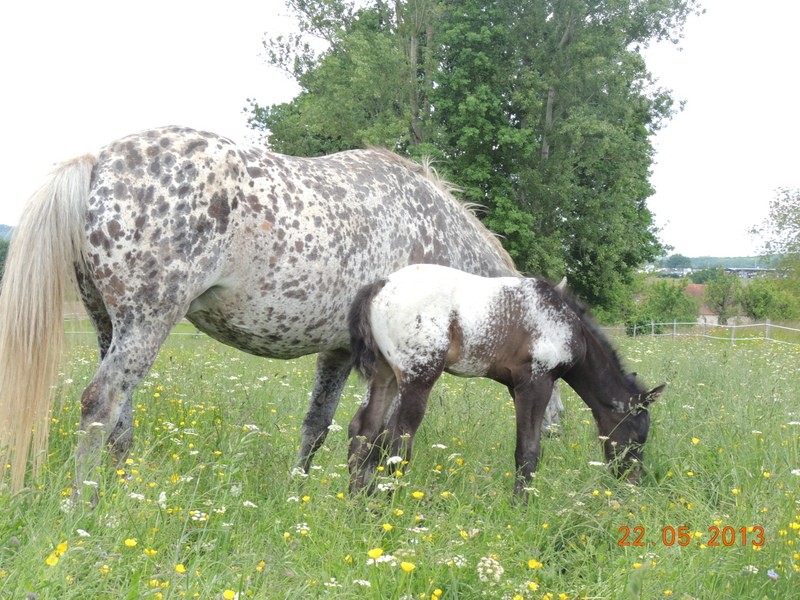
(261, 251)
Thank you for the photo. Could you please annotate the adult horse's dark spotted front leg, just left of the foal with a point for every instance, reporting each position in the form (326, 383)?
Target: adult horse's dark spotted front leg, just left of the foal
(333, 368)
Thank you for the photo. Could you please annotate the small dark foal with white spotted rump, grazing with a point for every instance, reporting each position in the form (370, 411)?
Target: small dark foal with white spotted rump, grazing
(408, 328)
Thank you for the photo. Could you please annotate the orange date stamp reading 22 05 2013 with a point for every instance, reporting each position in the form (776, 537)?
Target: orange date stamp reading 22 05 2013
(683, 535)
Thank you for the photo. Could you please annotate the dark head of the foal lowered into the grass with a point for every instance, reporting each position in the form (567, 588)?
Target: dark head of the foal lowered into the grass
(624, 441)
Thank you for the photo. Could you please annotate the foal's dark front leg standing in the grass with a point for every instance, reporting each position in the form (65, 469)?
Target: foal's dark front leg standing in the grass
(530, 402)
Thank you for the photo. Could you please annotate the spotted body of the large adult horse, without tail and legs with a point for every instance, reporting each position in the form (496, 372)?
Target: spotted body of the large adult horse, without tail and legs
(264, 251)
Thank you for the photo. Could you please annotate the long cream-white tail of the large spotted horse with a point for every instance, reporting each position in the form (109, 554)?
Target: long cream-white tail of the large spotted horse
(39, 270)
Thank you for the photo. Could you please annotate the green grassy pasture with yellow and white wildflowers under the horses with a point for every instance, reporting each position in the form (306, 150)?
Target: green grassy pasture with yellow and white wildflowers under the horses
(207, 506)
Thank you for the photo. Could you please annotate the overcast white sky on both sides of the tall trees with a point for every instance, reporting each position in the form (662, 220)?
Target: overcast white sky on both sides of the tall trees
(76, 75)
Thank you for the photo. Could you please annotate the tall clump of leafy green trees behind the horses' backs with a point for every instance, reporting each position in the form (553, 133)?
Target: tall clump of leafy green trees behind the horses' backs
(541, 111)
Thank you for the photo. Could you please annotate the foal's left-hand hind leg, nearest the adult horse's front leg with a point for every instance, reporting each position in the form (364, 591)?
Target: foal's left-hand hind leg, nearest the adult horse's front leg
(368, 427)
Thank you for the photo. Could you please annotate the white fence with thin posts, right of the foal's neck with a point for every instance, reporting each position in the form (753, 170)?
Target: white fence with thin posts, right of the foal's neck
(766, 331)
